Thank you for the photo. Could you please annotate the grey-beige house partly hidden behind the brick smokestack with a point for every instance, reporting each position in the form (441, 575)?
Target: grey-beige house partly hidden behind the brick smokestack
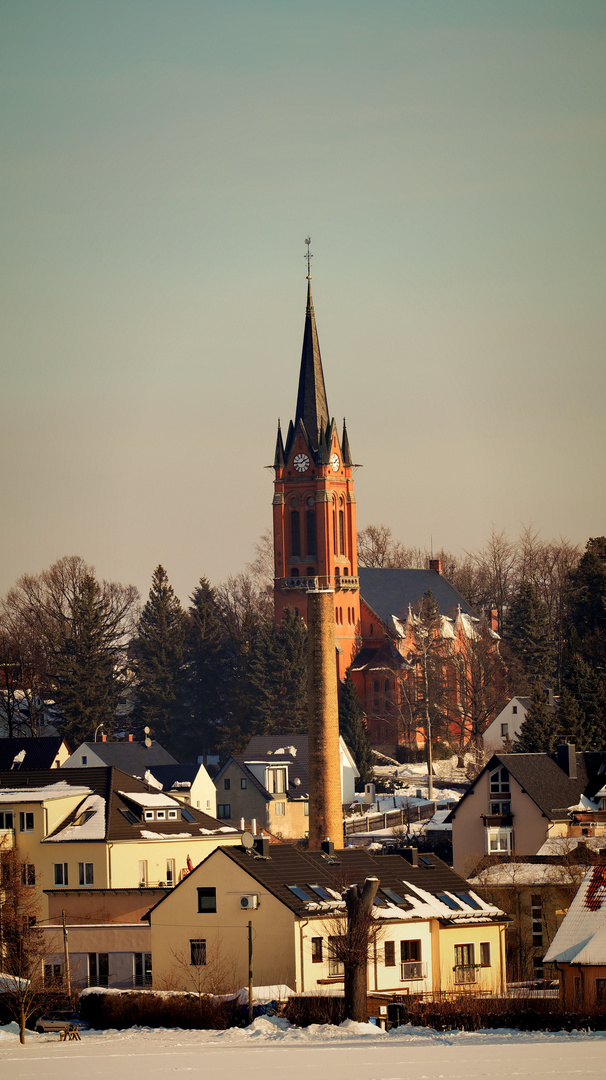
(270, 785)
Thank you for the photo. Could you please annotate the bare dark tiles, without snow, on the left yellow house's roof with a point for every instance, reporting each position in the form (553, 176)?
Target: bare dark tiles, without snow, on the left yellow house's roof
(109, 784)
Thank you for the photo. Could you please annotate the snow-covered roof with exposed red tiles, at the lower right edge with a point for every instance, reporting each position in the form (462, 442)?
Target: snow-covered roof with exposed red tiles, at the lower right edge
(582, 939)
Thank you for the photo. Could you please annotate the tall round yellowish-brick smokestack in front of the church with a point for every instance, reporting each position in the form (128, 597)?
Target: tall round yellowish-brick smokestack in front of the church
(326, 807)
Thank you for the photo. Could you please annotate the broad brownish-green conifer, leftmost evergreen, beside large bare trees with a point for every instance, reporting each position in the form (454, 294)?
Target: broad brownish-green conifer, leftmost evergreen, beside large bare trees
(84, 665)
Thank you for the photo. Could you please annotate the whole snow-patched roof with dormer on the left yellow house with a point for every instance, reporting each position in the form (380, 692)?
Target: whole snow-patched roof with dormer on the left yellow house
(109, 793)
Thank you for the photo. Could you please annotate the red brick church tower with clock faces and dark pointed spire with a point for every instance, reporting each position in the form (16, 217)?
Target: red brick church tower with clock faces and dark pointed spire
(315, 538)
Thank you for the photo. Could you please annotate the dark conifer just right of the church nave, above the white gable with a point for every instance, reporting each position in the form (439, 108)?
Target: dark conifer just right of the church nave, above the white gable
(528, 634)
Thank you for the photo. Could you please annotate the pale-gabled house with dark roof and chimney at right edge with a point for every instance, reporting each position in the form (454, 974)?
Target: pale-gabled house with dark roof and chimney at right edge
(519, 802)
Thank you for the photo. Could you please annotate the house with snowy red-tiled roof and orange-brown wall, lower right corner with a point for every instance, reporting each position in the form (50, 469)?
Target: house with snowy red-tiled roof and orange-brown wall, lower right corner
(578, 950)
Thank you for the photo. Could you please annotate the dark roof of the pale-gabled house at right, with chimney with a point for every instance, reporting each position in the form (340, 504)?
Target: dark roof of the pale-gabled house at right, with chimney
(544, 780)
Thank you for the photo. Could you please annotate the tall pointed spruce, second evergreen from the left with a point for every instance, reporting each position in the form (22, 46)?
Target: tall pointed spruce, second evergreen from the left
(158, 655)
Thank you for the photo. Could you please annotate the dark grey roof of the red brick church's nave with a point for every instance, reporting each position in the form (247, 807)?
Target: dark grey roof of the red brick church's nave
(390, 591)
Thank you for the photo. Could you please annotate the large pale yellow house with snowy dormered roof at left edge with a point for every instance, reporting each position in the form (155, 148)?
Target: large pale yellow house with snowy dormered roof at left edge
(86, 831)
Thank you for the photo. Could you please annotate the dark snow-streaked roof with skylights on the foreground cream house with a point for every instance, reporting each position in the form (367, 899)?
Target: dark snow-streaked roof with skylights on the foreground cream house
(421, 888)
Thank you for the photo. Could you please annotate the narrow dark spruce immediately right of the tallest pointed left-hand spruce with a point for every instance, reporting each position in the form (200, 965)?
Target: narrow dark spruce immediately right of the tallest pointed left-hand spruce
(205, 658)
